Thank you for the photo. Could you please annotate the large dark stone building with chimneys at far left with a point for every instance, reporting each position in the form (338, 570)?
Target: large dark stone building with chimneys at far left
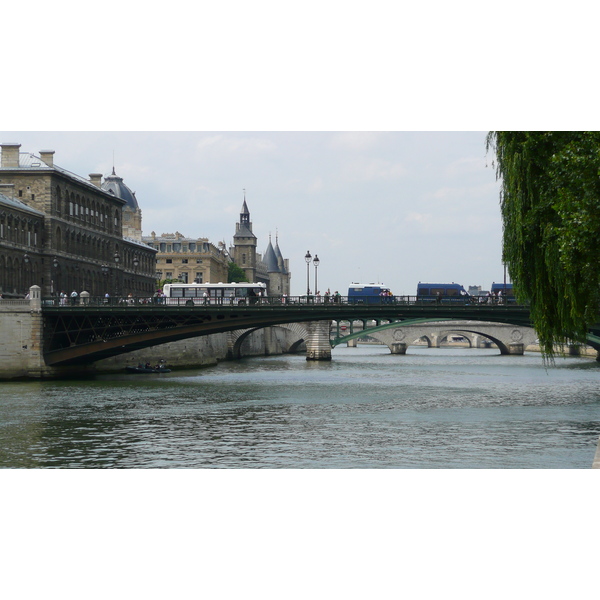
(79, 243)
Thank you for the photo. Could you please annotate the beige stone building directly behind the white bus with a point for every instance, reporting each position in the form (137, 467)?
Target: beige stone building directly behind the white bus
(188, 259)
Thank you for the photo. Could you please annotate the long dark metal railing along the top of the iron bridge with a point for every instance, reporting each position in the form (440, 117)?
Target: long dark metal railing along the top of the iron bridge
(265, 301)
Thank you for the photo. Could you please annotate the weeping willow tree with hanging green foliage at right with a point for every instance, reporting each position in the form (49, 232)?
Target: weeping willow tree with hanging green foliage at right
(550, 203)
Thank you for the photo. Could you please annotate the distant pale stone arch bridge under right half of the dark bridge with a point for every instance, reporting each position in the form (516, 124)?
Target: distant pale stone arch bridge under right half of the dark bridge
(510, 339)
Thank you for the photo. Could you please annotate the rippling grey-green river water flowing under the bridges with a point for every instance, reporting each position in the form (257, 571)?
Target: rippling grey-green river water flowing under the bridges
(367, 409)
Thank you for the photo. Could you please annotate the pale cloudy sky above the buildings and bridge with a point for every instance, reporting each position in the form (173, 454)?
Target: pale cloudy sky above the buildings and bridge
(376, 207)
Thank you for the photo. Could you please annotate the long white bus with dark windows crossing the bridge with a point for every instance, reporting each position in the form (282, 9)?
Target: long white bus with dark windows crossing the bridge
(213, 293)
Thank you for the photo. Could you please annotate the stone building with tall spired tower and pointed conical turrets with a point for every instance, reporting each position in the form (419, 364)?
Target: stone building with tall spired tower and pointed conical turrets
(272, 269)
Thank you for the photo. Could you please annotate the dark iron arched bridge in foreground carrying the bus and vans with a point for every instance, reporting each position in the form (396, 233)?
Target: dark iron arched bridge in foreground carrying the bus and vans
(95, 329)
